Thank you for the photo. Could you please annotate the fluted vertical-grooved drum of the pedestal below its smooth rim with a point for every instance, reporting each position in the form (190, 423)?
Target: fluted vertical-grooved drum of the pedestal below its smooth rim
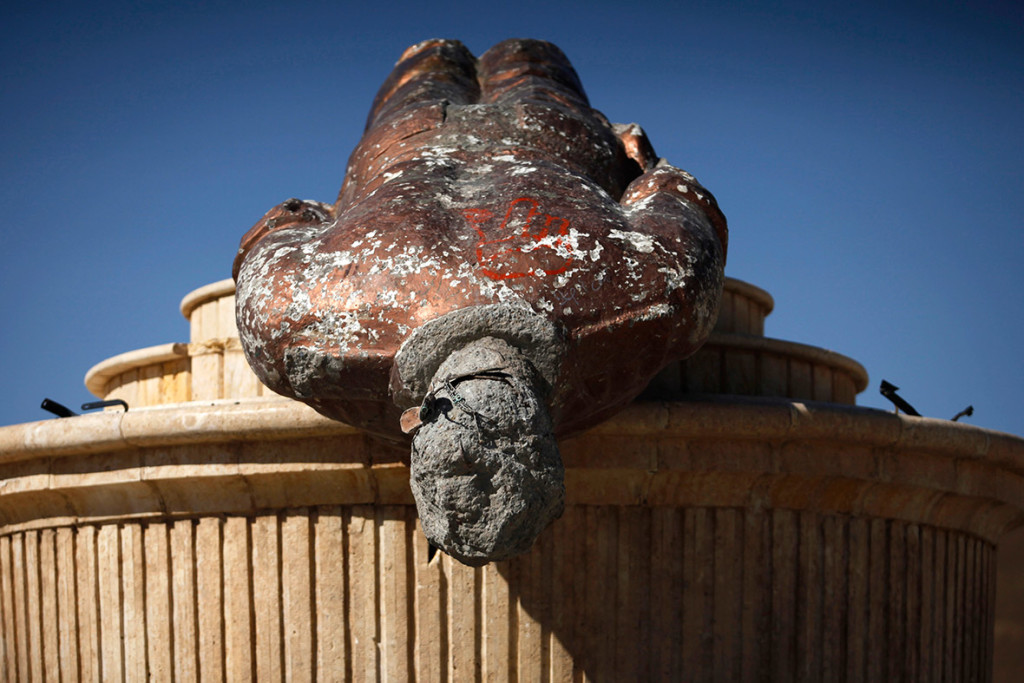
(709, 593)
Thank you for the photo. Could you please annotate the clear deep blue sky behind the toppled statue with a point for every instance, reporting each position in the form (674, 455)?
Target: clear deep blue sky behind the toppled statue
(870, 158)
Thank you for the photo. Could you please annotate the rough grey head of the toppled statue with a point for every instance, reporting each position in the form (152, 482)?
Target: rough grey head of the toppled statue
(486, 471)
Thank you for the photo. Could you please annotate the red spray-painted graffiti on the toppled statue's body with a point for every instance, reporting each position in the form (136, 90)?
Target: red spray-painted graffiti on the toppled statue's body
(527, 243)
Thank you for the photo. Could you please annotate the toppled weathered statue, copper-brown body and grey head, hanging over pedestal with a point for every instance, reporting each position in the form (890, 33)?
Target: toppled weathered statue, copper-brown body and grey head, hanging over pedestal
(502, 267)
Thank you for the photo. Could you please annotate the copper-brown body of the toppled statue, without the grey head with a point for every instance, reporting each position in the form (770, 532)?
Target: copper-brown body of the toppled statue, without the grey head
(484, 183)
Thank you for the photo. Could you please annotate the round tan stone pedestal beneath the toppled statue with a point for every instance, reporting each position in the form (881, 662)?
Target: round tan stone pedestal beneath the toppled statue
(705, 538)
